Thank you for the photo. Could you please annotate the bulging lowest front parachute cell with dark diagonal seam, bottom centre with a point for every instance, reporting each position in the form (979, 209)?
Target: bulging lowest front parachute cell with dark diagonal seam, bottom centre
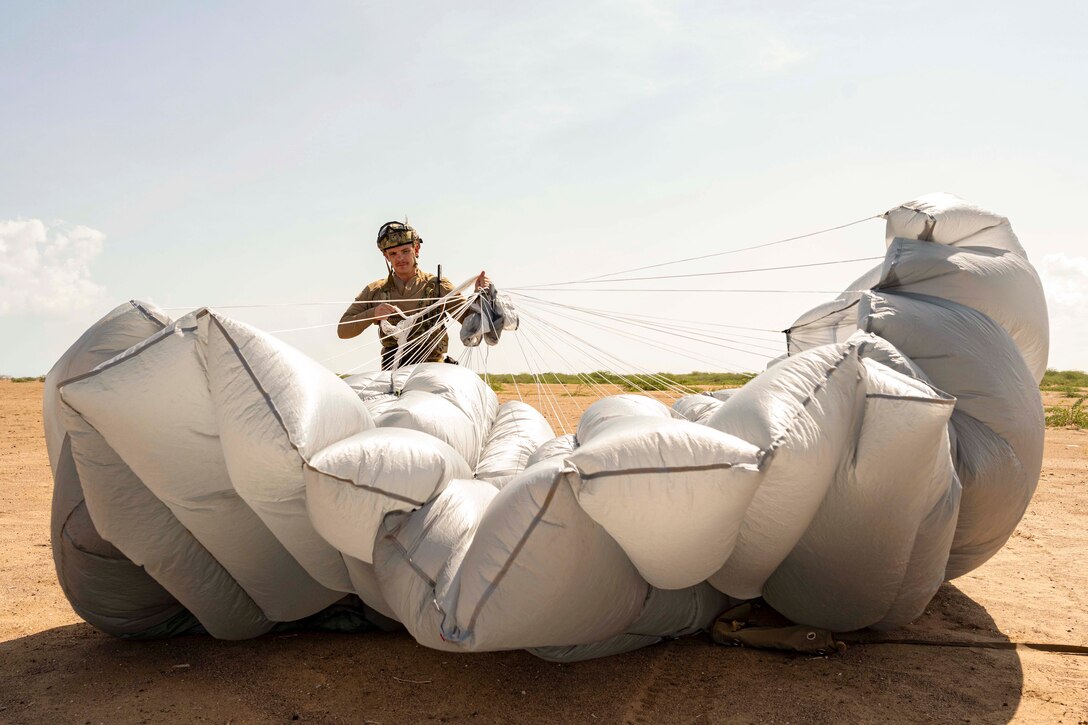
(536, 551)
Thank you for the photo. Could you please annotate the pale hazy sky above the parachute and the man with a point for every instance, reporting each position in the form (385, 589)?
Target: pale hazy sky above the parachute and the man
(217, 154)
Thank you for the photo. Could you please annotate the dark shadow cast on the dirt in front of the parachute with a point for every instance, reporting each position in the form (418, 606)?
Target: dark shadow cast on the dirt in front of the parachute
(77, 674)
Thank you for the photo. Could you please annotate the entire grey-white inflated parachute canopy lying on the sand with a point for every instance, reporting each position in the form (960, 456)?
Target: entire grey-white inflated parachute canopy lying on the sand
(212, 478)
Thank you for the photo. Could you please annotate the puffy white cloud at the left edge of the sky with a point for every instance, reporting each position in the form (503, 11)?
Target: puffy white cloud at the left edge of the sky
(45, 268)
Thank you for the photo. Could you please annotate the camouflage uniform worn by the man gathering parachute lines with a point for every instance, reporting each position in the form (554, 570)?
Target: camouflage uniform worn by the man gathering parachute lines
(410, 297)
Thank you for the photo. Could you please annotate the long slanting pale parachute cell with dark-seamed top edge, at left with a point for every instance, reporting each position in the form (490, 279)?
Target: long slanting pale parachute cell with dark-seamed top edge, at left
(153, 407)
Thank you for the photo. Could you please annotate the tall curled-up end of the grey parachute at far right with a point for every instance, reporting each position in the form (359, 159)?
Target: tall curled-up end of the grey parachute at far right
(958, 298)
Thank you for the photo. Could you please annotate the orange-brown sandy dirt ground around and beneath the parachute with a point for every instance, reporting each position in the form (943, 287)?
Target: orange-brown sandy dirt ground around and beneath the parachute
(56, 669)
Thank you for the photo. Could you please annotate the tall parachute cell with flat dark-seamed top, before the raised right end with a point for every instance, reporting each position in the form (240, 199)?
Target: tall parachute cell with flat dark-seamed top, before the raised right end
(848, 570)
